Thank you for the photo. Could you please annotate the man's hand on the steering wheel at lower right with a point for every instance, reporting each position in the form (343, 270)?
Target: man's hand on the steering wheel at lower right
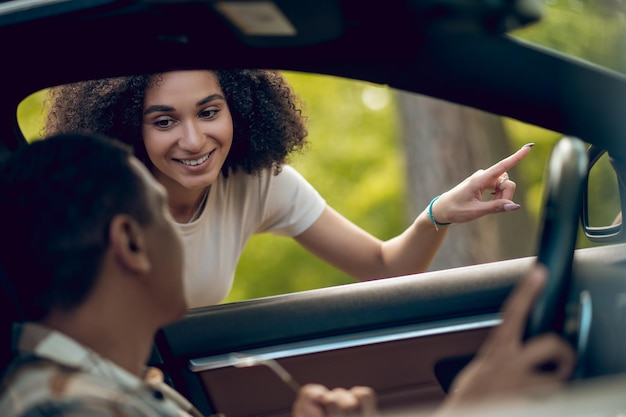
(506, 365)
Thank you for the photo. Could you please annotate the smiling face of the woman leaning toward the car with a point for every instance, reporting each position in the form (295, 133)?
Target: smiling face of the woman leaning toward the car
(187, 129)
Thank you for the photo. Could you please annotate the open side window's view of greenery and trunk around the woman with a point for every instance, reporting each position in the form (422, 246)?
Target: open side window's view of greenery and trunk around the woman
(378, 156)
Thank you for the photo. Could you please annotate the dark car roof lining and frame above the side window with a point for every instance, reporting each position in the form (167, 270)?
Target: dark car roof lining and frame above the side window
(440, 48)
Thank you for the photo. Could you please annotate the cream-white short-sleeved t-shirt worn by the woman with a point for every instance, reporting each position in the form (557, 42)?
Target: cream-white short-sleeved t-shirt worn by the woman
(238, 207)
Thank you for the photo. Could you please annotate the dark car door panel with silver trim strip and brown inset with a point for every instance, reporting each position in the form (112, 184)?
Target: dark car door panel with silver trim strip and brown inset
(406, 337)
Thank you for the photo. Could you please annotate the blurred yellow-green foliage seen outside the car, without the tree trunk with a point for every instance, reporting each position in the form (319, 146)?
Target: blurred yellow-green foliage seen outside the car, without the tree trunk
(355, 158)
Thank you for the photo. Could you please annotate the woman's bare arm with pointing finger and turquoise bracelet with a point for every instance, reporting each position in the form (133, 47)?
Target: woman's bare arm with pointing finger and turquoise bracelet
(343, 244)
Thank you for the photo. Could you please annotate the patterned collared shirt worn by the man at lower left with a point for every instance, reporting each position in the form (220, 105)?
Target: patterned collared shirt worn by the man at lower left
(55, 376)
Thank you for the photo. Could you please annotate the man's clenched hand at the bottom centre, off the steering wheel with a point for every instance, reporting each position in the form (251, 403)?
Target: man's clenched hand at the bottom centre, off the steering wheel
(318, 401)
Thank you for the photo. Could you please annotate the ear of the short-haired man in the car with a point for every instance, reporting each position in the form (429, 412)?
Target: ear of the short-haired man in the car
(128, 244)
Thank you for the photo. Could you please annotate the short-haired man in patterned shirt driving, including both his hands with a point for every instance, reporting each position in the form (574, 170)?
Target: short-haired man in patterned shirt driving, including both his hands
(95, 261)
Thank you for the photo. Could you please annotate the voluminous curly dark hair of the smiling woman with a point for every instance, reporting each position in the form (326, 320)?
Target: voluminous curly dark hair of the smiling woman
(268, 122)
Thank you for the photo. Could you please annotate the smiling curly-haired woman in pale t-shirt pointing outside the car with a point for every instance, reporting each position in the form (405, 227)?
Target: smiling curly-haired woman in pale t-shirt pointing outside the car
(219, 142)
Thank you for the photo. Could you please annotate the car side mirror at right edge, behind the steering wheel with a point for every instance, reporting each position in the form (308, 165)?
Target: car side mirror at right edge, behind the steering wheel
(604, 198)
